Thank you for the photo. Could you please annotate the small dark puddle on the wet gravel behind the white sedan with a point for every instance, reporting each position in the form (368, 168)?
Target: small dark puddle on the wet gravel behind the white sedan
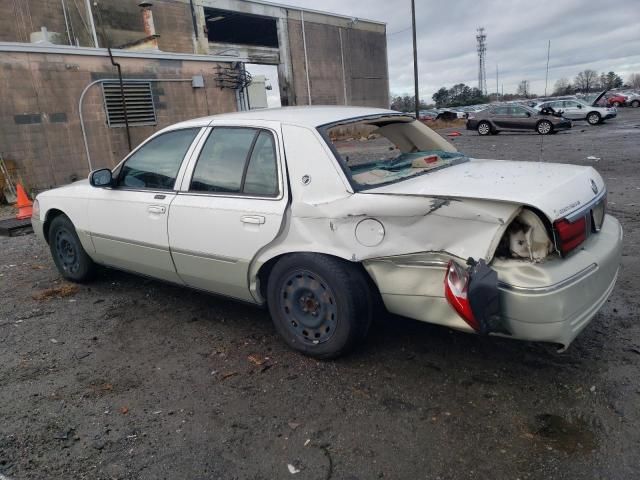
(569, 435)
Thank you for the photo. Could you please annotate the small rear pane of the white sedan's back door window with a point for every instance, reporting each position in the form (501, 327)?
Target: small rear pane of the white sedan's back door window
(262, 172)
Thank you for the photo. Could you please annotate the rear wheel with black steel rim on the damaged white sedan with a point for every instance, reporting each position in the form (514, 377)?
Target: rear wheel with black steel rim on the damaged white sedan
(320, 305)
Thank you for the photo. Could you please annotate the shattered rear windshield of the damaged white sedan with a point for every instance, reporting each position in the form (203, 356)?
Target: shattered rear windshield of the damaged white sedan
(378, 152)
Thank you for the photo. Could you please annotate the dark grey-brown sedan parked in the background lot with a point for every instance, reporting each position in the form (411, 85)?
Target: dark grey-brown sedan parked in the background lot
(516, 118)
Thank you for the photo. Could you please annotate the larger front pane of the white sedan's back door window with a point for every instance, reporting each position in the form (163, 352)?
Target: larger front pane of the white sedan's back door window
(221, 163)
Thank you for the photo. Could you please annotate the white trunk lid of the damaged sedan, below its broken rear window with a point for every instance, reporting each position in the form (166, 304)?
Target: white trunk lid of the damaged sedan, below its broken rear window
(555, 189)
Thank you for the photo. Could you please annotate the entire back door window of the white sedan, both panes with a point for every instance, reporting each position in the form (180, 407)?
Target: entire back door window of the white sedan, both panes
(237, 160)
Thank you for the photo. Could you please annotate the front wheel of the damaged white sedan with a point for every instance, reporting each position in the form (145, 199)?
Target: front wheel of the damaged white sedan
(70, 258)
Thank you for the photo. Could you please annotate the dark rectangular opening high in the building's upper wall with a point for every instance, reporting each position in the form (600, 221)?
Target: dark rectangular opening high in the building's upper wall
(225, 26)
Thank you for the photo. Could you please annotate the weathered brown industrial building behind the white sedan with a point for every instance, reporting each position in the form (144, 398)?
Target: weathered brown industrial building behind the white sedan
(61, 104)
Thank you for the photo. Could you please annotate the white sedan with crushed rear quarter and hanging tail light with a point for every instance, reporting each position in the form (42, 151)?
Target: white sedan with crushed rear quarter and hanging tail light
(320, 212)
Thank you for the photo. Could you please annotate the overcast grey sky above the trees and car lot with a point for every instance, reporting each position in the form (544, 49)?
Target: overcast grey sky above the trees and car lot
(592, 34)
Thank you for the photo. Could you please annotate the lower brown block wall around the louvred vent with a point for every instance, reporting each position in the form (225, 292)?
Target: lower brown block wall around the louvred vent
(39, 121)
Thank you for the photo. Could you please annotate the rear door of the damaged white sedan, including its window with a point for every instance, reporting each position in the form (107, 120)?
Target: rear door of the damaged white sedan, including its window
(229, 207)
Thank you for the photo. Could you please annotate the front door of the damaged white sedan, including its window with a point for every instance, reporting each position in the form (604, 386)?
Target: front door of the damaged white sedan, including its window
(128, 222)
